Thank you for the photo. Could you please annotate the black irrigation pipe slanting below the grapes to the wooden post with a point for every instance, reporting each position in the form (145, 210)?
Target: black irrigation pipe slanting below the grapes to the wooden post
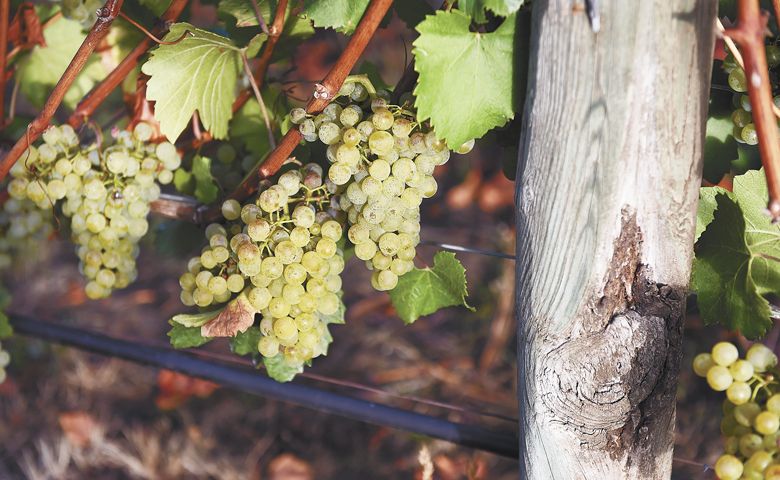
(473, 436)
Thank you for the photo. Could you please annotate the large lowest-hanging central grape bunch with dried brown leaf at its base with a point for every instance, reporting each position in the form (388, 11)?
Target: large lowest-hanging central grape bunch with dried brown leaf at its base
(282, 251)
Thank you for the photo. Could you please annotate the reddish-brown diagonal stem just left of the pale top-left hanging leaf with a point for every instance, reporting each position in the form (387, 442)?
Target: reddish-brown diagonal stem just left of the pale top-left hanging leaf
(97, 96)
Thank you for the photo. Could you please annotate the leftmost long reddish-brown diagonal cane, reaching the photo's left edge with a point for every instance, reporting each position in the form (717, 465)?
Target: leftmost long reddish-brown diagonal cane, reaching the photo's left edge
(106, 16)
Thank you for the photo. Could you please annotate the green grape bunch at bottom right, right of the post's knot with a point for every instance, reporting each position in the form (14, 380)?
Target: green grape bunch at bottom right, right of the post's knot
(751, 410)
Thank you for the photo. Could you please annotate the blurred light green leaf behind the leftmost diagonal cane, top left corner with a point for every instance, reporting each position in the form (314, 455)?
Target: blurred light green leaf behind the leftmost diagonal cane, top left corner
(41, 69)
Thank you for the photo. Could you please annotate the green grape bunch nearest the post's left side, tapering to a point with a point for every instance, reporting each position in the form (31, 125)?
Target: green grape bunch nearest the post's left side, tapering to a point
(383, 162)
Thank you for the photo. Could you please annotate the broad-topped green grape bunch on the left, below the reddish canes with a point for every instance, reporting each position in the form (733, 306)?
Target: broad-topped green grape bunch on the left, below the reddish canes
(105, 192)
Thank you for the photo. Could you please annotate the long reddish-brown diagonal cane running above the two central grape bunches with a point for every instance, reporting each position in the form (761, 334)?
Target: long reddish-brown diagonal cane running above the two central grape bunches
(323, 94)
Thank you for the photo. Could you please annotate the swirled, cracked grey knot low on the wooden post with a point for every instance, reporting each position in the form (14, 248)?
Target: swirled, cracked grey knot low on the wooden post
(593, 384)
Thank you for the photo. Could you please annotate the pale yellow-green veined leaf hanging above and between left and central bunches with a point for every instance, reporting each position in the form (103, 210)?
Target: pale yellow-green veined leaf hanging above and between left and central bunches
(197, 73)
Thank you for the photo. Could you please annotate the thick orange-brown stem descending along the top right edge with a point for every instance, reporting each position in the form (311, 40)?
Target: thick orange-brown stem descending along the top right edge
(749, 34)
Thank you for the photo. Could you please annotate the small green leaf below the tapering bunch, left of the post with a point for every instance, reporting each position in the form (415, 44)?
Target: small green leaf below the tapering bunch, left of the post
(426, 290)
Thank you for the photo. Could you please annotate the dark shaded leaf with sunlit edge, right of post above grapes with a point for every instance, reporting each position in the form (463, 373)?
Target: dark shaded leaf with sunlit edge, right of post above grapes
(738, 259)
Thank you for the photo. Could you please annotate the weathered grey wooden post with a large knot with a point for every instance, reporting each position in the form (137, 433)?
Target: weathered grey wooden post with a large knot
(608, 178)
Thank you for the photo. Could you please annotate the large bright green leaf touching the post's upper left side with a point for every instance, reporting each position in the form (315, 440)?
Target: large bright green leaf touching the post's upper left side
(466, 78)
